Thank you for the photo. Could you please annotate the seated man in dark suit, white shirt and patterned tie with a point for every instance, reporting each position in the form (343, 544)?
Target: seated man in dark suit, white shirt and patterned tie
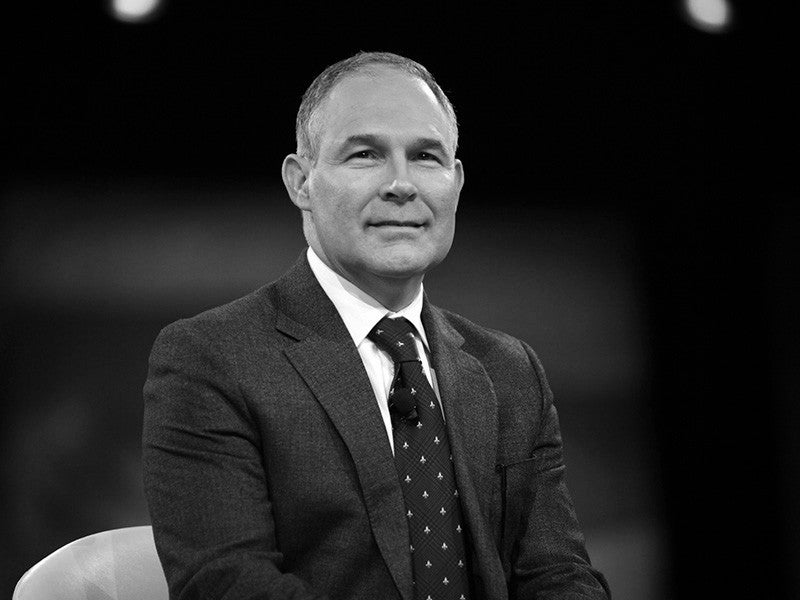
(299, 444)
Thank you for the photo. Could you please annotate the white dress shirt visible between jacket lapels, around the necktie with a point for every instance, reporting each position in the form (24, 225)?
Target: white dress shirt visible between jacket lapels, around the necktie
(360, 313)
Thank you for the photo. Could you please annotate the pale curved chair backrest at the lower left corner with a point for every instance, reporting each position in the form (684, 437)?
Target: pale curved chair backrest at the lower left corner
(120, 564)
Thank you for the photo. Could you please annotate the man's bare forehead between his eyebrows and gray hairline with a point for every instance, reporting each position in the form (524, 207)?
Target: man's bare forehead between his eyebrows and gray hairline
(382, 100)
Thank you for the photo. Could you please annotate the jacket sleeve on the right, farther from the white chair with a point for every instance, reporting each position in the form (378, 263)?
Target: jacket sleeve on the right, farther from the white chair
(548, 559)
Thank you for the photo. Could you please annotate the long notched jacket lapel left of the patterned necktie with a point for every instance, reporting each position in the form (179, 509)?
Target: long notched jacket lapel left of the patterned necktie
(329, 363)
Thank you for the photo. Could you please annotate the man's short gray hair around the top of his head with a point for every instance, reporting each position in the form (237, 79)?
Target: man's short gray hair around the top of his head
(320, 88)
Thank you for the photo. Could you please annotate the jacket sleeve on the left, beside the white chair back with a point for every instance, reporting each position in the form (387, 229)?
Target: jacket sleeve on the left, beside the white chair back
(204, 477)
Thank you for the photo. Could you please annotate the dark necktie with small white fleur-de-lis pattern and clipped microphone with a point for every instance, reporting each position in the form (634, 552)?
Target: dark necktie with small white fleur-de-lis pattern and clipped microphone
(425, 468)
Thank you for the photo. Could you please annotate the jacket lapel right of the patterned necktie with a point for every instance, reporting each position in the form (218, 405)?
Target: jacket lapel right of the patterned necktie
(470, 408)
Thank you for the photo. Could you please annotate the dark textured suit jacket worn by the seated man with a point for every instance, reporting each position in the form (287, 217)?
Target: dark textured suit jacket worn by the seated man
(268, 472)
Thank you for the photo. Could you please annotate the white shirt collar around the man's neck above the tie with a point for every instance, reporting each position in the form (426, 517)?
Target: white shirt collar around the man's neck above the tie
(360, 311)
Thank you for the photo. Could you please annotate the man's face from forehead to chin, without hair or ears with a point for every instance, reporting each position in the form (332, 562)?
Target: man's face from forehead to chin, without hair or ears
(381, 198)
